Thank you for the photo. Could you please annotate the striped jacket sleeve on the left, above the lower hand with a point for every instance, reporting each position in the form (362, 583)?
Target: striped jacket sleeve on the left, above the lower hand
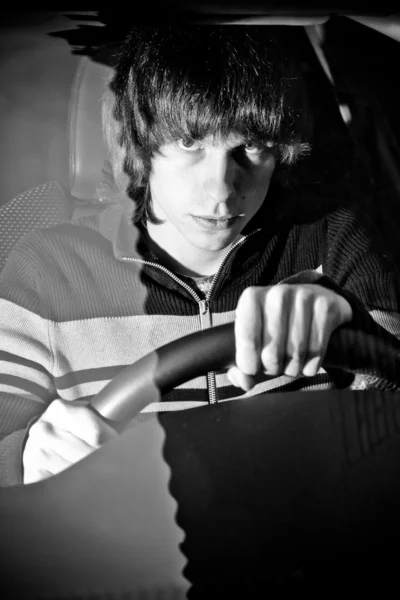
(26, 383)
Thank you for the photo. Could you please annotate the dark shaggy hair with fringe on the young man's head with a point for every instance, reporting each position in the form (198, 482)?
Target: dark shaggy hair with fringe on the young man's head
(193, 81)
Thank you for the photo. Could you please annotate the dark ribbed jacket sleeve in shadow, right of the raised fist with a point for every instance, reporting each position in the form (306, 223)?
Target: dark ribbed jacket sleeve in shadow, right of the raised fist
(356, 265)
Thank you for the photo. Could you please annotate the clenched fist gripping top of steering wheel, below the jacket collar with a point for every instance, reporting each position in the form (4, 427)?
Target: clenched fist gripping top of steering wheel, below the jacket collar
(284, 330)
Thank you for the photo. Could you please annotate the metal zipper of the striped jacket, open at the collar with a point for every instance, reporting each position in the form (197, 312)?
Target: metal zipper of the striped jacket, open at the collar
(204, 304)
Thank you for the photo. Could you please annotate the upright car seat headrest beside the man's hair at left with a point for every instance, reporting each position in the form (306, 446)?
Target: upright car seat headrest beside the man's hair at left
(87, 149)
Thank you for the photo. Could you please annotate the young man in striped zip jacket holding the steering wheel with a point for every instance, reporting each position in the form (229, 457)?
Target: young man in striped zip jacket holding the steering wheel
(205, 127)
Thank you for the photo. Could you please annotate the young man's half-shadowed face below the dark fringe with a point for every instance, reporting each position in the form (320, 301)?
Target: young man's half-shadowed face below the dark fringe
(206, 192)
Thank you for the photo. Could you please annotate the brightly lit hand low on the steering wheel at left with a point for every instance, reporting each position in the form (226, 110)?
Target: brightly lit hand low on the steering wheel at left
(64, 435)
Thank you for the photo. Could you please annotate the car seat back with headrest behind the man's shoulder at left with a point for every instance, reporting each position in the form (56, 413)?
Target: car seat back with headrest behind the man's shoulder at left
(49, 204)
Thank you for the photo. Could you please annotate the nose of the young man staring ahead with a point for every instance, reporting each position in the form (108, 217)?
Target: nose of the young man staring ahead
(219, 178)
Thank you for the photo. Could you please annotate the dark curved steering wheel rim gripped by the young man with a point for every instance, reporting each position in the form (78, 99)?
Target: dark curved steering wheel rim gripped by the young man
(350, 348)
